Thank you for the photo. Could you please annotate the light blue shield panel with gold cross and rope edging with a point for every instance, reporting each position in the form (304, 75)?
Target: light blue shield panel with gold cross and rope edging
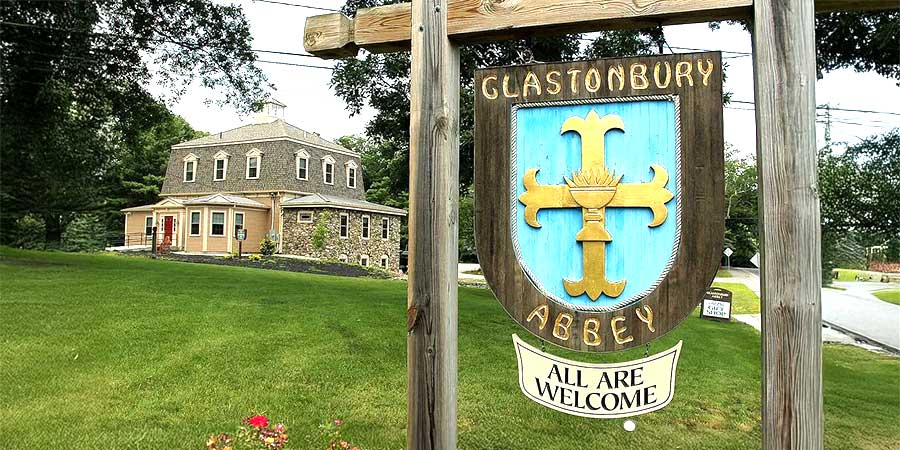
(595, 208)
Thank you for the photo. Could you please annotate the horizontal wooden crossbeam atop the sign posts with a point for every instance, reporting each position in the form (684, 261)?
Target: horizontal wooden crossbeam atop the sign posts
(387, 28)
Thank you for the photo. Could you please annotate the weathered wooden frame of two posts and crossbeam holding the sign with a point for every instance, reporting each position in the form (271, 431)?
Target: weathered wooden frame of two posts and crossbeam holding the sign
(784, 66)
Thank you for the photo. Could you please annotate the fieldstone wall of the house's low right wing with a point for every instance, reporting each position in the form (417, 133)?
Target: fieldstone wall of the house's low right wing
(299, 232)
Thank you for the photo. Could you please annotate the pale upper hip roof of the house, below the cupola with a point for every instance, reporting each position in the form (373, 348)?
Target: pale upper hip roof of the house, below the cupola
(274, 129)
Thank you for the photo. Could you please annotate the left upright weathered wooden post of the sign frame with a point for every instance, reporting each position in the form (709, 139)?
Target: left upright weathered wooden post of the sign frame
(433, 219)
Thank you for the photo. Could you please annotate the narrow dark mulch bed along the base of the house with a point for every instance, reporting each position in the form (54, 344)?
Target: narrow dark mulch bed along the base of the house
(278, 263)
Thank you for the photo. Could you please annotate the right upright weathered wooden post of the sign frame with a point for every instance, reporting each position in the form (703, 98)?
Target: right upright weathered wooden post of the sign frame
(785, 76)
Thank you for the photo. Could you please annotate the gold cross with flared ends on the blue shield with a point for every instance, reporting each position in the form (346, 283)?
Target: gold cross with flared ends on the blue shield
(593, 188)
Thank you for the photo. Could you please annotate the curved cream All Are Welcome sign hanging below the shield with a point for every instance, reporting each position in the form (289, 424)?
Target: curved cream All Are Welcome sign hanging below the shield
(603, 391)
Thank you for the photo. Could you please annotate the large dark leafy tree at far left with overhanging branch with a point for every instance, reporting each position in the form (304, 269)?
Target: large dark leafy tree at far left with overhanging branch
(72, 81)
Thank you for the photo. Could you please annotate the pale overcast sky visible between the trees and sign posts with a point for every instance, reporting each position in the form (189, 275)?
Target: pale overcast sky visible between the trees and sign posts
(313, 106)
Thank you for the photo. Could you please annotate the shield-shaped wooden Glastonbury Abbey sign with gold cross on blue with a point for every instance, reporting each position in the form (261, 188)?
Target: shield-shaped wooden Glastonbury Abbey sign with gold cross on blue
(599, 210)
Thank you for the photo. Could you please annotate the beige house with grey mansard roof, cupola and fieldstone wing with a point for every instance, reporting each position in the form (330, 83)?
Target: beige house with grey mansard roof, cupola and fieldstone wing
(268, 178)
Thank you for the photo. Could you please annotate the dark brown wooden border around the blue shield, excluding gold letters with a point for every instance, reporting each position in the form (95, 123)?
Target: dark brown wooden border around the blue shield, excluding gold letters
(702, 202)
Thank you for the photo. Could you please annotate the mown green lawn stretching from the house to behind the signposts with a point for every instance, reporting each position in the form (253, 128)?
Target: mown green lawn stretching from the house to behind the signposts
(114, 352)
